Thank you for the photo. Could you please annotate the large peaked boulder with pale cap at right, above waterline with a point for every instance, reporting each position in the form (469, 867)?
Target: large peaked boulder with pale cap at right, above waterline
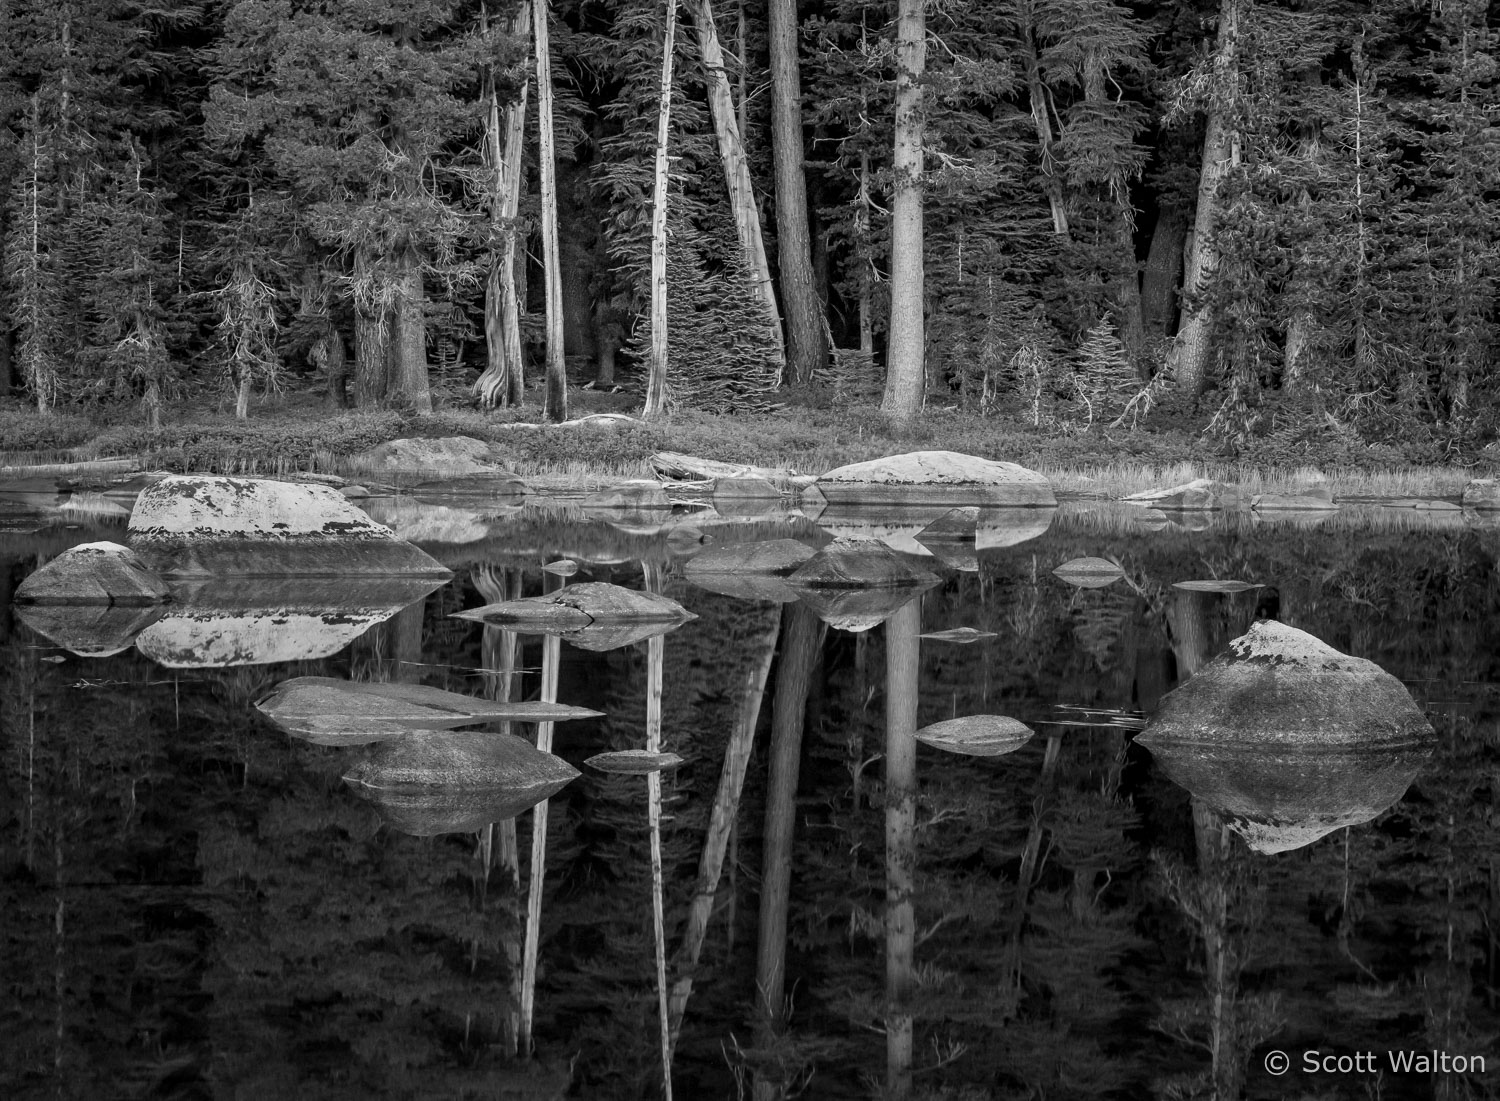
(1282, 688)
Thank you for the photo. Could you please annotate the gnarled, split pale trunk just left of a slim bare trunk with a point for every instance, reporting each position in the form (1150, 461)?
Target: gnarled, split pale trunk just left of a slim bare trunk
(503, 380)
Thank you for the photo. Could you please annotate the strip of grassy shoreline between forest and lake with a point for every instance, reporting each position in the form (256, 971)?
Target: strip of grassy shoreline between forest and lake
(298, 436)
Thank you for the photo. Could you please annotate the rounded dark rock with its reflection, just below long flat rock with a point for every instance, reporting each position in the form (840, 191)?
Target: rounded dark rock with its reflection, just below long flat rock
(457, 781)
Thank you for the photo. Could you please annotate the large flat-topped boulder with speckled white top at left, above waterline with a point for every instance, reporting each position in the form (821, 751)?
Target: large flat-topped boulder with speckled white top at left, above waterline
(205, 526)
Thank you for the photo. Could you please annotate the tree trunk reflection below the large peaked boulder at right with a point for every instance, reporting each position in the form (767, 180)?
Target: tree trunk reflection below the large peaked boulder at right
(1222, 970)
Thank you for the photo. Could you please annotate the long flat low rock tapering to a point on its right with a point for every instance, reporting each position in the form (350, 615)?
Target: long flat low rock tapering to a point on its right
(334, 712)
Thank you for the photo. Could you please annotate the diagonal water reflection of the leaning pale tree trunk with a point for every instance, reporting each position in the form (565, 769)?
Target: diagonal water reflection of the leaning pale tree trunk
(722, 821)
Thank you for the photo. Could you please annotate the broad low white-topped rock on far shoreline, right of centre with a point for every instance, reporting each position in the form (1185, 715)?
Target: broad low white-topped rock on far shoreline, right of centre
(937, 476)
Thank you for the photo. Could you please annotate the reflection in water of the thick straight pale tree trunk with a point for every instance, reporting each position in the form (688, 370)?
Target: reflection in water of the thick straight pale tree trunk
(902, 665)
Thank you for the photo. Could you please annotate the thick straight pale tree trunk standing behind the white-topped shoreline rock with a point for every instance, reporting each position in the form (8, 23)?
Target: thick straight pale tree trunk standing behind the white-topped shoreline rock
(905, 355)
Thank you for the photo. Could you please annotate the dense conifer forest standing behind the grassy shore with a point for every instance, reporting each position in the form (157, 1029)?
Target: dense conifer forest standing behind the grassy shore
(1276, 217)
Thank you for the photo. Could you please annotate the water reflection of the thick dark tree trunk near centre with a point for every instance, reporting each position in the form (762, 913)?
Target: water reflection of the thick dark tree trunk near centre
(802, 641)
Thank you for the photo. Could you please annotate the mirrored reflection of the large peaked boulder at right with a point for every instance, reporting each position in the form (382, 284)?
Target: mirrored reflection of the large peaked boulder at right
(1285, 799)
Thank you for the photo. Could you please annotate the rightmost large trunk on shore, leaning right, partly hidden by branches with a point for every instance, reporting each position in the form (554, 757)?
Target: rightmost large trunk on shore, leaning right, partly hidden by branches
(1190, 353)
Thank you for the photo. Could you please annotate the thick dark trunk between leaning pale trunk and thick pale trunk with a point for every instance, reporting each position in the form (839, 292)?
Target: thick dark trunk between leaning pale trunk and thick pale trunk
(806, 329)
